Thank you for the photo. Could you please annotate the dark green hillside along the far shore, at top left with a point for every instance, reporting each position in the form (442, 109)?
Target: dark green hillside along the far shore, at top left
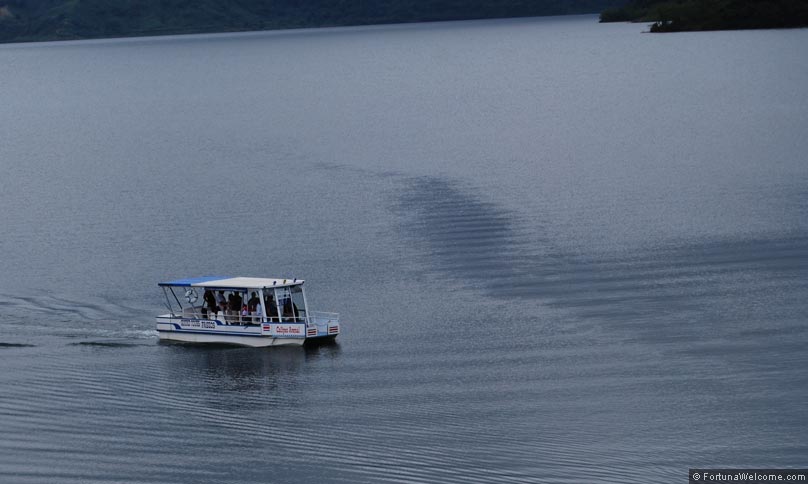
(33, 20)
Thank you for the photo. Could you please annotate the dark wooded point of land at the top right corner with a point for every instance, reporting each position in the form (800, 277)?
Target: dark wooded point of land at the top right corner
(681, 15)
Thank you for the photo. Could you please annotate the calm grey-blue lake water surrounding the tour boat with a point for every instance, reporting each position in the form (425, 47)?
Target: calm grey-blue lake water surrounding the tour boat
(562, 252)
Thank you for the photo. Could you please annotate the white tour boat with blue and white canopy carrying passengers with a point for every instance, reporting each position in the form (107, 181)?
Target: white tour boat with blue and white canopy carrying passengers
(246, 311)
